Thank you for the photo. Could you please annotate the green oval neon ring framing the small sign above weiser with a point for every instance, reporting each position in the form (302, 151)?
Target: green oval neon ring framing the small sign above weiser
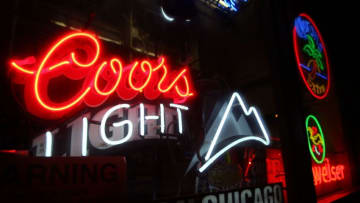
(320, 135)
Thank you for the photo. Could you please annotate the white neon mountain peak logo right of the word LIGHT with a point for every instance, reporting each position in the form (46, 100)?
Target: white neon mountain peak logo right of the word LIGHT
(228, 126)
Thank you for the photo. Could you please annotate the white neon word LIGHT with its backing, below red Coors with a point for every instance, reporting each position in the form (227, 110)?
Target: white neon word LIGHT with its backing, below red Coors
(103, 132)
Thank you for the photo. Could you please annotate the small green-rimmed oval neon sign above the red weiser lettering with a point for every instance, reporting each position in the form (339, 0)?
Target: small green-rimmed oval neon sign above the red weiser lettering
(315, 139)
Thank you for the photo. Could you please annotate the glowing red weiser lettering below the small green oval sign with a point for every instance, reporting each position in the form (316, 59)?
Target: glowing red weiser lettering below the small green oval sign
(326, 173)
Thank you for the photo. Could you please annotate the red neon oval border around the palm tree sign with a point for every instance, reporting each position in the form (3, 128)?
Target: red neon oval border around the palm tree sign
(299, 63)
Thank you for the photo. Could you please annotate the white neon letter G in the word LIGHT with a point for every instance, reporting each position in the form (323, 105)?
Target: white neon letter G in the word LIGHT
(118, 124)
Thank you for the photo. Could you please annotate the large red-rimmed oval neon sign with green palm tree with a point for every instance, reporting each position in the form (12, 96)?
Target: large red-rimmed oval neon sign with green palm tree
(311, 56)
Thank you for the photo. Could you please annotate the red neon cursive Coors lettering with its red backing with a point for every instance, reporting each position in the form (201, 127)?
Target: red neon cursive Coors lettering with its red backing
(77, 56)
